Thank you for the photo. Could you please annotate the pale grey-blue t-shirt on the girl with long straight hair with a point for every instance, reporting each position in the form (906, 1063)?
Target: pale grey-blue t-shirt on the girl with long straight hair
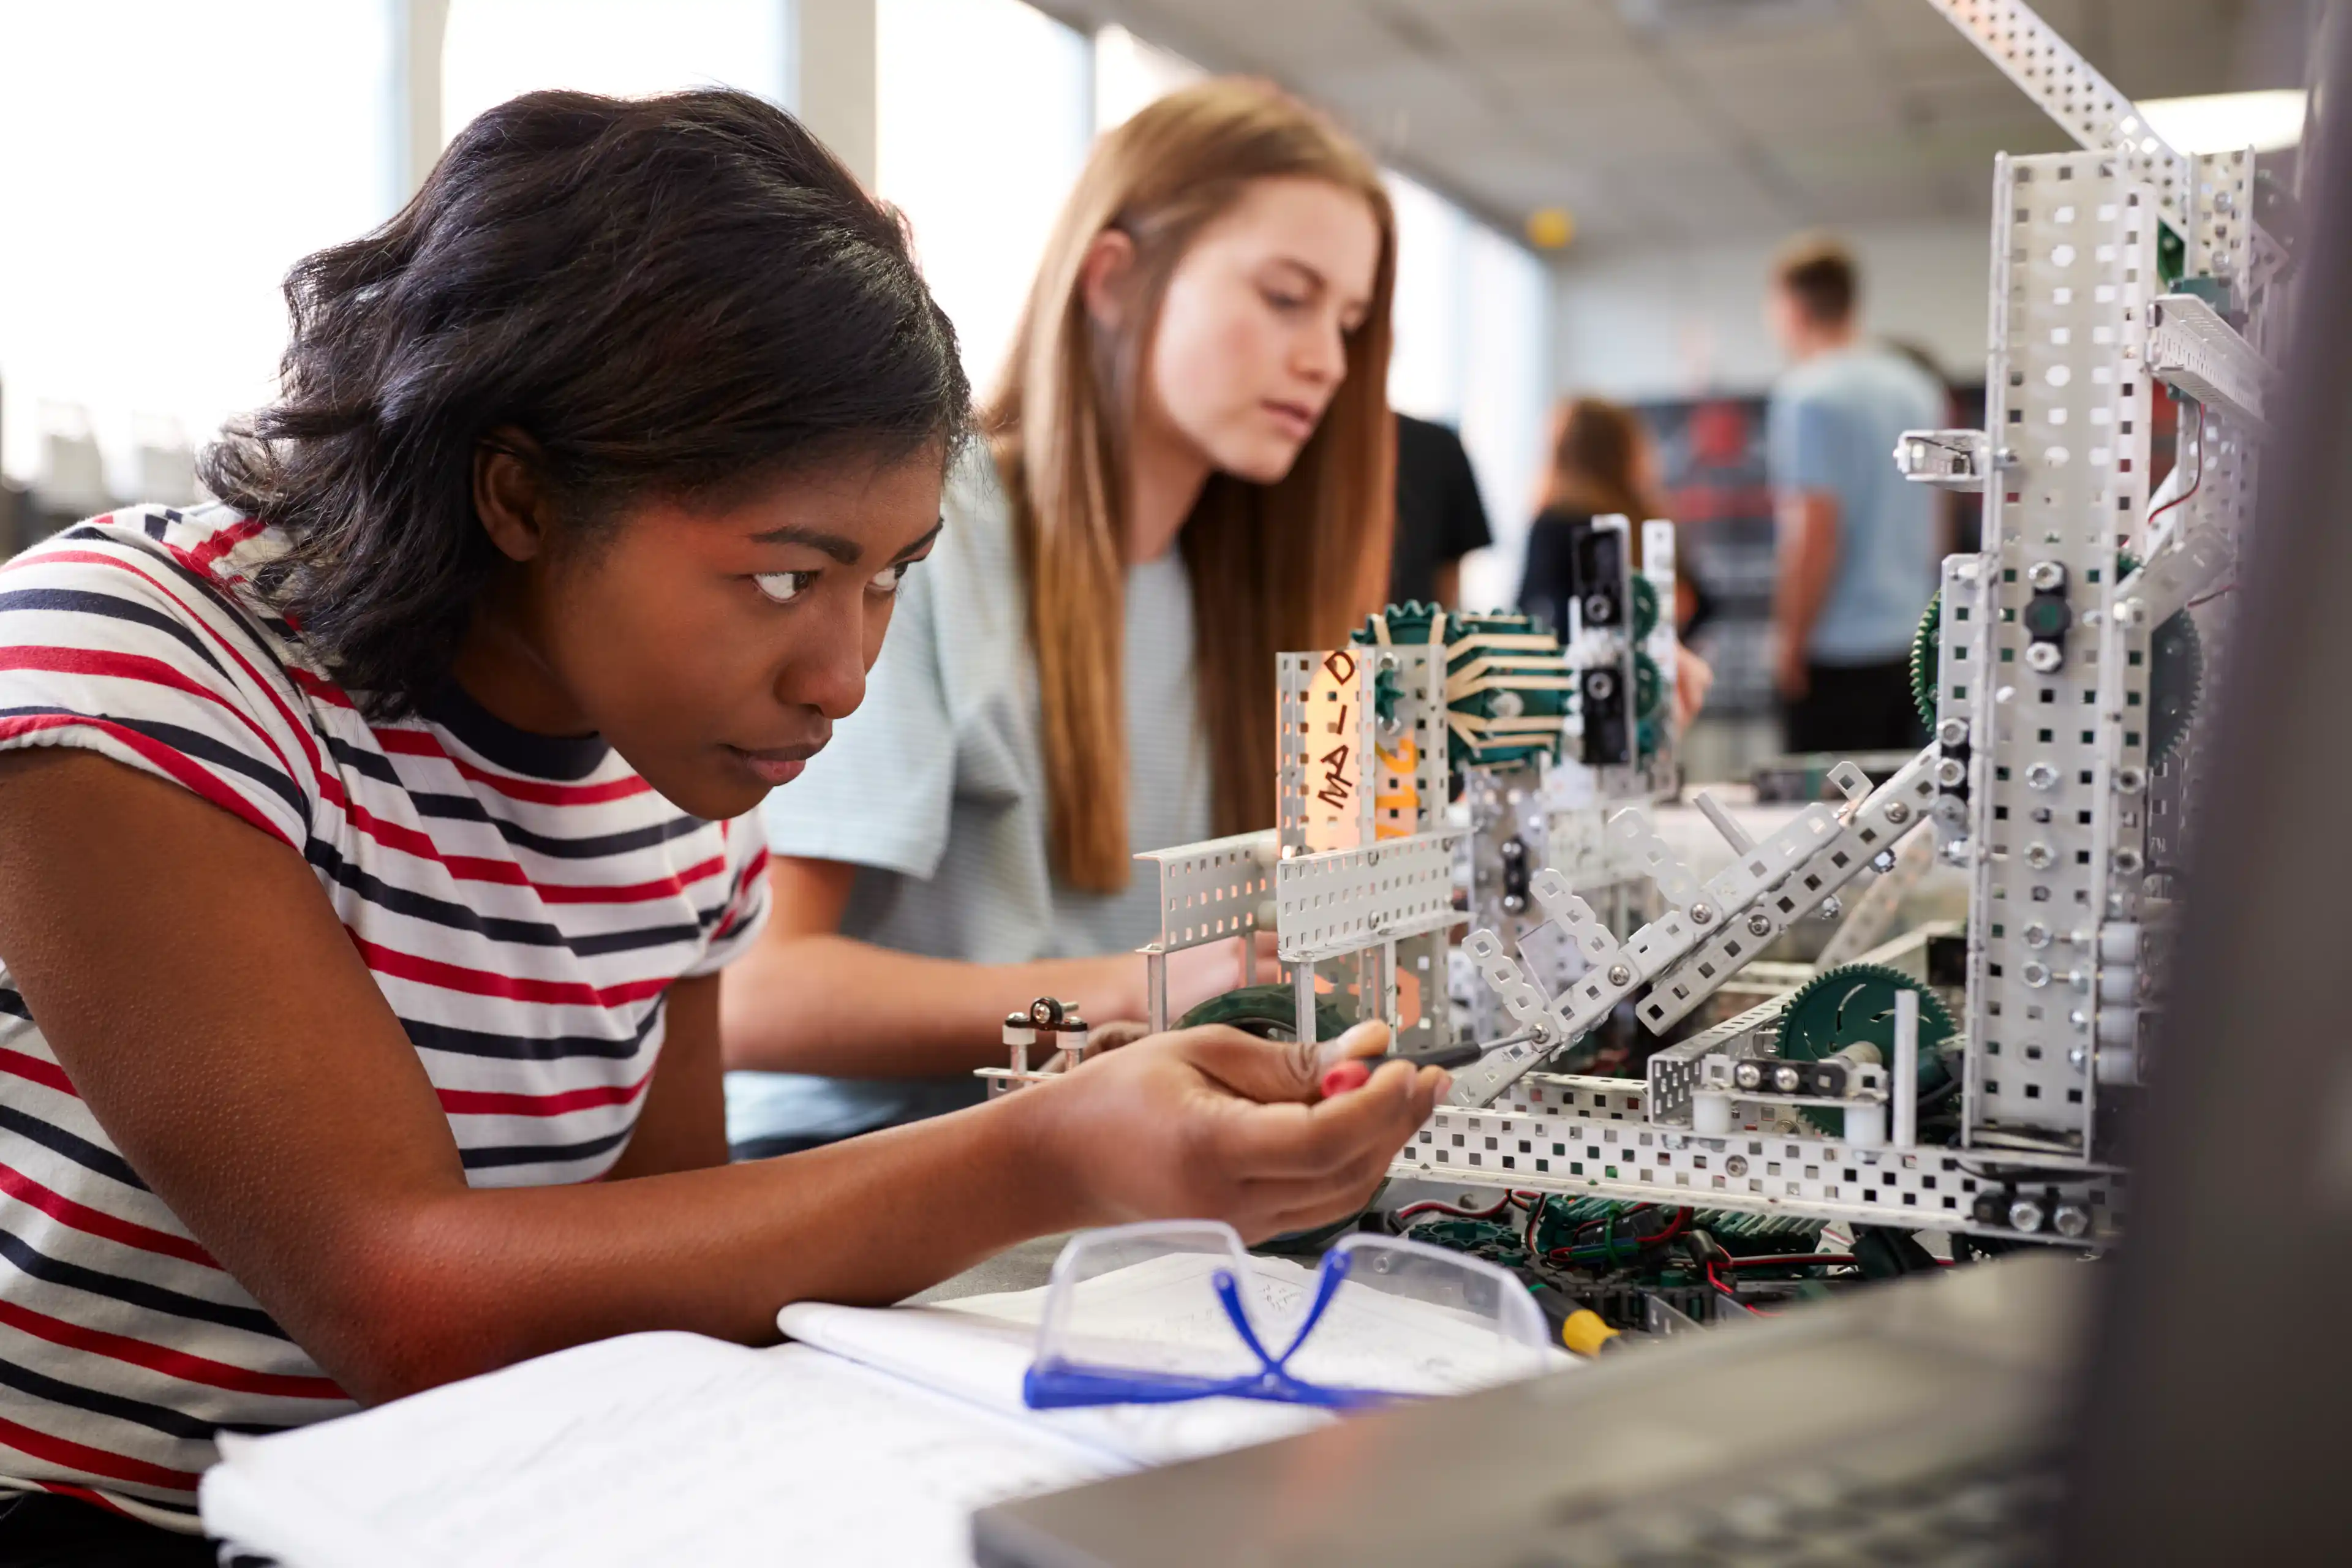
(935, 791)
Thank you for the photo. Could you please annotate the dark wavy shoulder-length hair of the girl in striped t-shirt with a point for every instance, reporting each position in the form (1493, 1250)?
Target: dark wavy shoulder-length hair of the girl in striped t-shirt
(681, 295)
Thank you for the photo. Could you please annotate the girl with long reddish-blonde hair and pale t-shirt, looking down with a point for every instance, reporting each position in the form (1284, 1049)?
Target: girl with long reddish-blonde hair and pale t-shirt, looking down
(1187, 469)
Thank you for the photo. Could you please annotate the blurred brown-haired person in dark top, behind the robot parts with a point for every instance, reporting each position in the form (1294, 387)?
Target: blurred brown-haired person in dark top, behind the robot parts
(1605, 462)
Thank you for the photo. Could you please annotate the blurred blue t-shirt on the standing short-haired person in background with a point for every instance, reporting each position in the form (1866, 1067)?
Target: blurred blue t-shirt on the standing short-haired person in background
(1833, 429)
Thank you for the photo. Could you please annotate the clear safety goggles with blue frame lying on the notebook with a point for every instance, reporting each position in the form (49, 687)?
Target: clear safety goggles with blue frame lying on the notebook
(1177, 1311)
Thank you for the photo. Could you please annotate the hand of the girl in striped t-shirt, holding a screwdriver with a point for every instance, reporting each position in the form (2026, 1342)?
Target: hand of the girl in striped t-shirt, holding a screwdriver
(1217, 1125)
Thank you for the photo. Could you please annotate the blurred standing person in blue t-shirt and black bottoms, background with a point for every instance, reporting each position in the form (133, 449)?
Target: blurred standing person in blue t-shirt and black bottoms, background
(1857, 556)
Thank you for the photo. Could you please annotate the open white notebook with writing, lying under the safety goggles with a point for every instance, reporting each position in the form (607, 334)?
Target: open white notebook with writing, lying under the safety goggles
(869, 1442)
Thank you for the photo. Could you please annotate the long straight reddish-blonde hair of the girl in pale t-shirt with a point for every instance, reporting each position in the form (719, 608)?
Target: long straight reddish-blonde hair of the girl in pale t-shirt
(1274, 568)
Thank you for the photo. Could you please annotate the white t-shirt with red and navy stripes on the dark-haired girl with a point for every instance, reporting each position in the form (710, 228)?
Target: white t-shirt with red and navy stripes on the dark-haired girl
(521, 902)
